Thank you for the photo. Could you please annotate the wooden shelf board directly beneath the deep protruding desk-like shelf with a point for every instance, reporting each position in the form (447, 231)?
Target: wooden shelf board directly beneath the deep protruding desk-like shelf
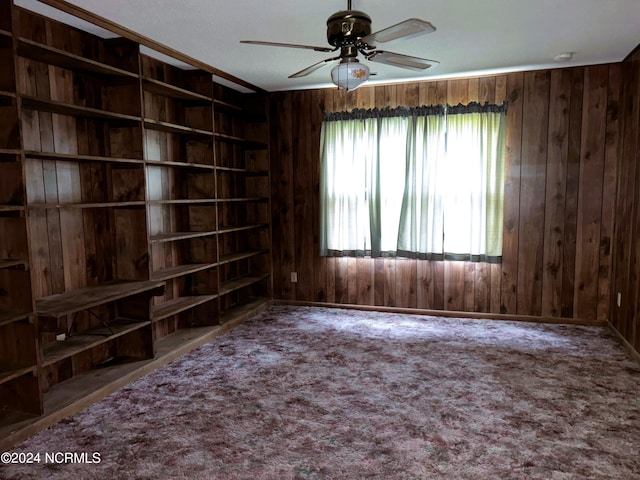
(55, 351)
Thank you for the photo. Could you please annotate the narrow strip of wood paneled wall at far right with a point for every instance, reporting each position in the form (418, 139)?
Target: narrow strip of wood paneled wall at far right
(626, 259)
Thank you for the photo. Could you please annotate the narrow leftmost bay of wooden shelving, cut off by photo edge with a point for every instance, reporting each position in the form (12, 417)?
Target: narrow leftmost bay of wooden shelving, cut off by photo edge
(20, 394)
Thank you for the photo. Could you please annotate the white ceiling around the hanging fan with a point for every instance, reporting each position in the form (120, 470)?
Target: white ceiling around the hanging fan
(472, 37)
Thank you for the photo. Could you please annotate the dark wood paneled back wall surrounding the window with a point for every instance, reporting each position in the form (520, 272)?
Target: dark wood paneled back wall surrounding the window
(562, 151)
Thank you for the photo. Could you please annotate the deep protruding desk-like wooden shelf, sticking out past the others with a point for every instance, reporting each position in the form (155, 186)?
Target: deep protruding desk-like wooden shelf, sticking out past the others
(56, 306)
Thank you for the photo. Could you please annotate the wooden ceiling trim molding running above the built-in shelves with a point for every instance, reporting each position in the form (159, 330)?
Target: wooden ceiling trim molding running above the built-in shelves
(102, 22)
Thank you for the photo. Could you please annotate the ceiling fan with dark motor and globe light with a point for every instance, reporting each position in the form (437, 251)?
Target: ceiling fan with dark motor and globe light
(350, 32)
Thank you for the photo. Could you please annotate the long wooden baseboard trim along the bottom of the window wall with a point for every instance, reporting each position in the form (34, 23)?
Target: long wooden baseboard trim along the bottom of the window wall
(450, 313)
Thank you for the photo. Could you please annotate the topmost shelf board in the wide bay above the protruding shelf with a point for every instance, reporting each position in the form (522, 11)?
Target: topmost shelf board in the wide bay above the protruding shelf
(46, 54)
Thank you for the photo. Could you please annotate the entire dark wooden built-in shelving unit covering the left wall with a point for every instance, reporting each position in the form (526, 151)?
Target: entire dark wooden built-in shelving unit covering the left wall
(134, 215)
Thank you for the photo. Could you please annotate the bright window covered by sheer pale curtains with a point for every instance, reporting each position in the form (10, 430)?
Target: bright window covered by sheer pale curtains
(423, 182)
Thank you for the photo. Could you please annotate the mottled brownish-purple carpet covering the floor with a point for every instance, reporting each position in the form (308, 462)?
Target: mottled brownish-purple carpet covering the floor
(318, 393)
